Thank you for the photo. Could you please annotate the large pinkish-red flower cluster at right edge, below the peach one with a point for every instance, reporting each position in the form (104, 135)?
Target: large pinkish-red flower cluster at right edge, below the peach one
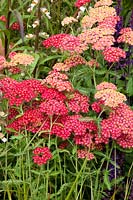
(119, 126)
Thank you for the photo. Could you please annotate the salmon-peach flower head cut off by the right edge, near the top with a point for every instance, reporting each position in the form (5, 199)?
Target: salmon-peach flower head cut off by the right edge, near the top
(126, 36)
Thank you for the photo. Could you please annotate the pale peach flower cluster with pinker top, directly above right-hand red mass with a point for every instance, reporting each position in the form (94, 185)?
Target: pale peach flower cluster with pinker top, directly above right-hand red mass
(110, 96)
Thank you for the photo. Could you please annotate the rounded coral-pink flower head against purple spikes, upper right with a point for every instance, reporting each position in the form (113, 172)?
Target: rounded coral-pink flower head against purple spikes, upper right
(113, 54)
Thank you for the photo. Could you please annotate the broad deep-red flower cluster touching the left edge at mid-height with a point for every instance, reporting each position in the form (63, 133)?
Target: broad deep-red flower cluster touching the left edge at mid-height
(19, 92)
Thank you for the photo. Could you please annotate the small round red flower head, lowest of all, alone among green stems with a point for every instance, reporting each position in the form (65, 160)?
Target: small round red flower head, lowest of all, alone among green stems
(41, 155)
